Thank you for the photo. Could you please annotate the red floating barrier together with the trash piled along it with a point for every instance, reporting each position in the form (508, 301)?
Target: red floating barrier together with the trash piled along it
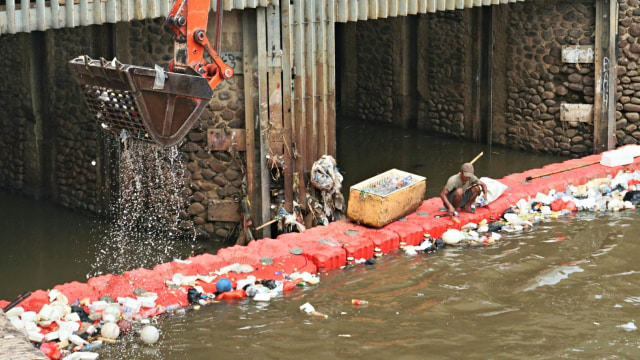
(71, 319)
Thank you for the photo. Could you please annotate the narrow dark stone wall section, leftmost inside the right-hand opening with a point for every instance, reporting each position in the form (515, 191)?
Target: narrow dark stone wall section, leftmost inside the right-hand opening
(374, 93)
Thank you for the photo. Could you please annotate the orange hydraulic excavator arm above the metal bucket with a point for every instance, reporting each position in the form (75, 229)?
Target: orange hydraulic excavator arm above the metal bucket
(188, 20)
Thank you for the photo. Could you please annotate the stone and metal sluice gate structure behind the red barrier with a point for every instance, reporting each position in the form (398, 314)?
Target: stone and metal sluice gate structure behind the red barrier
(532, 75)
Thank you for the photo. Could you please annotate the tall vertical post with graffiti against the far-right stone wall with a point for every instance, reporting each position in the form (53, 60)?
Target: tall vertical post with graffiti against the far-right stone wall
(605, 62)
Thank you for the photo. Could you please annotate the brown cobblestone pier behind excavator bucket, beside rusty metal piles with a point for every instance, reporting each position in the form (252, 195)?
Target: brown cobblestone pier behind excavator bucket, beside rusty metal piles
(212, 175)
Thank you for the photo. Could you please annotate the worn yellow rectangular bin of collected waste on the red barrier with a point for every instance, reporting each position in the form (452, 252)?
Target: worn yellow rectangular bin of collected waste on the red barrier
(367, 207)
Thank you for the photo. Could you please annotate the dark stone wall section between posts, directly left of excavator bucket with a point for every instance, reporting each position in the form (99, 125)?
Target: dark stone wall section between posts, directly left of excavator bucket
(76, 132)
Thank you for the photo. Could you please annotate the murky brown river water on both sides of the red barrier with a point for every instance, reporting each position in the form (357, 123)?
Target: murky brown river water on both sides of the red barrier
(561, 290)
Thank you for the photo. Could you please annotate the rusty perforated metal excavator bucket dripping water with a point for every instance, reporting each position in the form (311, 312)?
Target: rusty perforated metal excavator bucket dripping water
(148, 104)
